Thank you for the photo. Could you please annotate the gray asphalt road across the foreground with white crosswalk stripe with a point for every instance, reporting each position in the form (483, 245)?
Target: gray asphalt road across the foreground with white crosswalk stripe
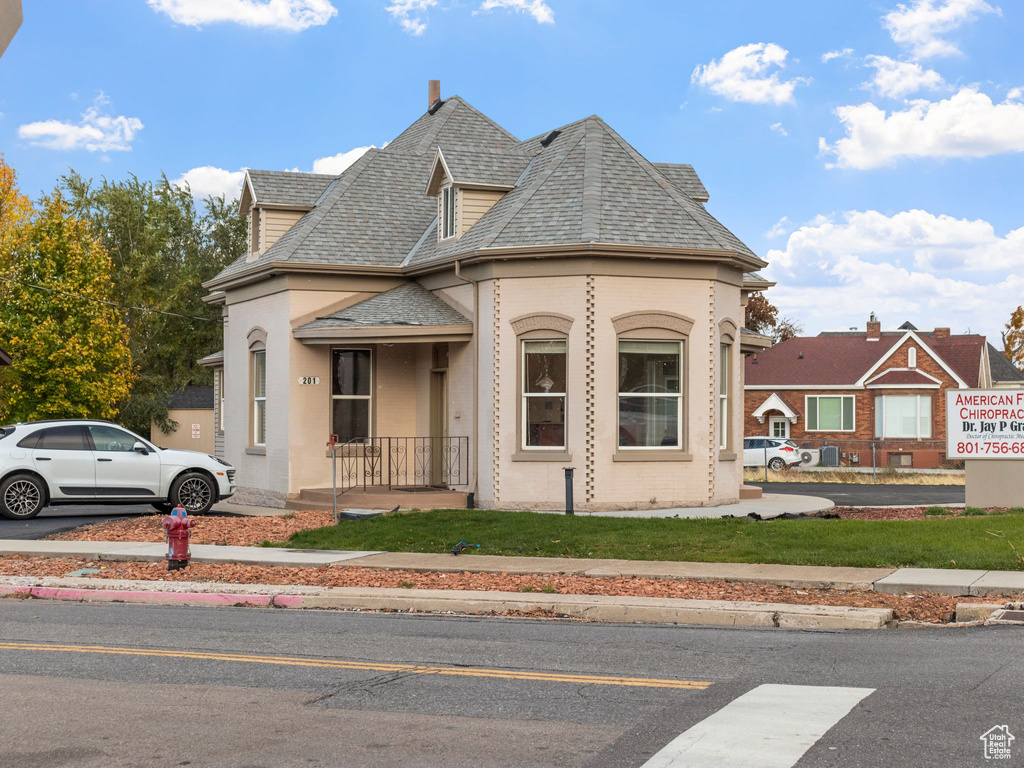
(318, 689)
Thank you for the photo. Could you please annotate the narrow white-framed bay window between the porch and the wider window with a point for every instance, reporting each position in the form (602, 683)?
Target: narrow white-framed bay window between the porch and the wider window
(544, 394)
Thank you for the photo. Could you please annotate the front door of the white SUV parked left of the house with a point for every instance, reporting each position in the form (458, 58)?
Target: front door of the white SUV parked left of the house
(121, 472)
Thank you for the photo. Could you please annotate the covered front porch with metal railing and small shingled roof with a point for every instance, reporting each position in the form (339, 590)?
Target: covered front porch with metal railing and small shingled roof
(401, 401)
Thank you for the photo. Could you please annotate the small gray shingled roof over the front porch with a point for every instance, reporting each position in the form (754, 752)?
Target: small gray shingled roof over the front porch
(410, 305)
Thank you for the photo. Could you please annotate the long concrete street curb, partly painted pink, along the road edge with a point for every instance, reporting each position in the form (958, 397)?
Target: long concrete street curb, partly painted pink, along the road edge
(590, 608)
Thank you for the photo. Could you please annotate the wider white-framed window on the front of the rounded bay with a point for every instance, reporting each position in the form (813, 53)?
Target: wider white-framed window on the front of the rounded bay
(651, 395)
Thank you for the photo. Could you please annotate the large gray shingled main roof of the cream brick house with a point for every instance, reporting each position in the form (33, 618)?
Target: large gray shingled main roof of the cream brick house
(586, 186)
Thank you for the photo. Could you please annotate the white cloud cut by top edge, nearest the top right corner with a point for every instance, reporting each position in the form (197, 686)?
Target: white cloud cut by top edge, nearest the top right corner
(921, 25)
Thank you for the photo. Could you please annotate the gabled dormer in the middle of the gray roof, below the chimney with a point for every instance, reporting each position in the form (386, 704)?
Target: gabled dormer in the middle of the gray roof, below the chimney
(467, 185)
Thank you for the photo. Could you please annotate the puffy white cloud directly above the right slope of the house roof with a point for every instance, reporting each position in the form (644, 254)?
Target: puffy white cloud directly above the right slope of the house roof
(742, 75)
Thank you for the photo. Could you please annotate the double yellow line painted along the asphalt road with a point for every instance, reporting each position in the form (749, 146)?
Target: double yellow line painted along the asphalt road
(551, 677)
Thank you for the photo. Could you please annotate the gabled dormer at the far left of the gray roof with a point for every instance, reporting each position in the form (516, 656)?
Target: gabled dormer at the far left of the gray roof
(275, 201)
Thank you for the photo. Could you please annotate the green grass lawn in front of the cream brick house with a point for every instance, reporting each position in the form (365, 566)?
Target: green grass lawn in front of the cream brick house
(940, 543)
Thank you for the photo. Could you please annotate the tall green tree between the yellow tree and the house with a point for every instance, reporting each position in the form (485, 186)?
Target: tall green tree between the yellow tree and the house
(163, 250)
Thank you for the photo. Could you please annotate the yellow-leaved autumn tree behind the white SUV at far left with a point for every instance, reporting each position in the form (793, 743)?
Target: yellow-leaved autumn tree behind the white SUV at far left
(69, 345)
